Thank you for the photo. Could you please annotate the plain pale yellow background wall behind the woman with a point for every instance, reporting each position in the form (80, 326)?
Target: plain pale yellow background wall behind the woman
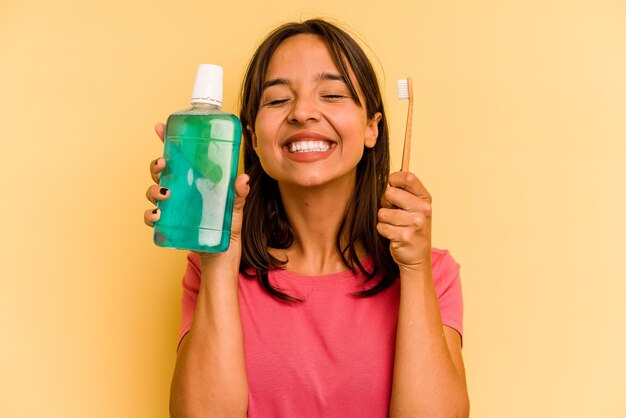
(519, 134)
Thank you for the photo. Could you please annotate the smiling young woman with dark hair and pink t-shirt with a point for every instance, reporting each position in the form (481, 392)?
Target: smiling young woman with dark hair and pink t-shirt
(330, 301)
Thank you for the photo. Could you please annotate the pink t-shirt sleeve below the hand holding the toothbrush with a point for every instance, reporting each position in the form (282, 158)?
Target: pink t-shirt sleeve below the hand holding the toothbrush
(448, 288)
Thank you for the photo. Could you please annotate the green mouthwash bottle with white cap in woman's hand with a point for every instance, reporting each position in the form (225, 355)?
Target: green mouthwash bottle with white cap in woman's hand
(201, 157)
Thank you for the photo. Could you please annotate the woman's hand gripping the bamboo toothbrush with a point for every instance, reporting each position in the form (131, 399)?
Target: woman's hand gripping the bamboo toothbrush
(405, 219)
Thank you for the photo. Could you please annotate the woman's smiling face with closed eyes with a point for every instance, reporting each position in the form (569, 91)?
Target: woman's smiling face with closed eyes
(308, 130)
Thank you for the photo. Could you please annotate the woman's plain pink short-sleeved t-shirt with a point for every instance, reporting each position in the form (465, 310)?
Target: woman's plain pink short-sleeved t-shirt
(330, 355)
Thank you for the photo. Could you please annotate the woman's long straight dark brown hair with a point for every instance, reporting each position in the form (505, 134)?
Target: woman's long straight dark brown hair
(265, 222)
